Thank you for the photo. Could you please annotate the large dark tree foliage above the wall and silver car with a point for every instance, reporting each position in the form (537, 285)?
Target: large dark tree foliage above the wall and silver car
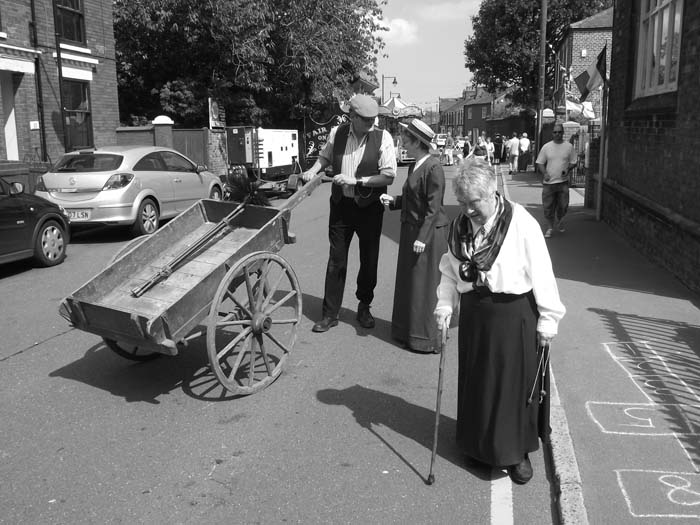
(266, 61)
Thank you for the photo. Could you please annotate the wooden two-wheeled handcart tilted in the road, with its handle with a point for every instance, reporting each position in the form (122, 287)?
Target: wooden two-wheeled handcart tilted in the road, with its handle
(212, 271)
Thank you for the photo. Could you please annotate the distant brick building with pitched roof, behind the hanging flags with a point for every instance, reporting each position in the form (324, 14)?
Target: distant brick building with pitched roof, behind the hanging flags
(582, 42)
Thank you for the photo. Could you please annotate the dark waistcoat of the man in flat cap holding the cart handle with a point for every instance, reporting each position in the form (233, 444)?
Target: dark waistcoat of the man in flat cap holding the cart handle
(369, 165)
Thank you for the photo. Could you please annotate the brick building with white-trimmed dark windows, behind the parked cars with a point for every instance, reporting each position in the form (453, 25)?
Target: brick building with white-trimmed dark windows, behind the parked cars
(35, 124)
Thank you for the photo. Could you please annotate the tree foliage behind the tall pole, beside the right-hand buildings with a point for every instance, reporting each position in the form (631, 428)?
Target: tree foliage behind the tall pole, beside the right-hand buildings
(504, 50)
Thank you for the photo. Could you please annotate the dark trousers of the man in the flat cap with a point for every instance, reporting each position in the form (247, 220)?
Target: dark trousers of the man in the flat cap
(346, 219)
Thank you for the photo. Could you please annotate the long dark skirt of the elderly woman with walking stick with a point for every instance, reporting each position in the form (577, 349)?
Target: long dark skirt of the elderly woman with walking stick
(497, 367)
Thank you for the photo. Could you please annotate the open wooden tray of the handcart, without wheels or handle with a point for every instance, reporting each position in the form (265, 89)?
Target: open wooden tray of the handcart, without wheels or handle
(170, 310)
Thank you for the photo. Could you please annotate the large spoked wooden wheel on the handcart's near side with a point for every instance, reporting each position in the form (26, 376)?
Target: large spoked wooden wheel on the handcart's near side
(253, 322)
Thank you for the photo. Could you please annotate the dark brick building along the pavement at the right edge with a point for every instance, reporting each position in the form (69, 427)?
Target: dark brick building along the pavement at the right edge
(651, 190)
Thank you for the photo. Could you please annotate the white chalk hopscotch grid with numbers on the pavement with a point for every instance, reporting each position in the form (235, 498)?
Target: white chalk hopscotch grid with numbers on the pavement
(668, 406)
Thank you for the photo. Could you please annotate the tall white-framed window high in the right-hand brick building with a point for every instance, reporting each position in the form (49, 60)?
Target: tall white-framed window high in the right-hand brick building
(658, 47)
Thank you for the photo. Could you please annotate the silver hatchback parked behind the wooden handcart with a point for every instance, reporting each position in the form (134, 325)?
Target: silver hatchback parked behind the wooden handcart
(127, 185)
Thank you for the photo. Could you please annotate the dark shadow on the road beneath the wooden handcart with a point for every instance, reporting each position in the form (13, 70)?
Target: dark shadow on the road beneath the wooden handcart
(147, 381)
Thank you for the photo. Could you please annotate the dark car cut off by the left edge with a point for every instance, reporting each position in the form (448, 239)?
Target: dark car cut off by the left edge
(31, 227)
